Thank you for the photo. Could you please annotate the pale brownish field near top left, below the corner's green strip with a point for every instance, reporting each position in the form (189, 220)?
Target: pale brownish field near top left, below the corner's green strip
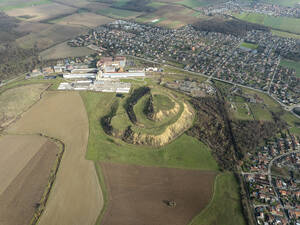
(41, 12)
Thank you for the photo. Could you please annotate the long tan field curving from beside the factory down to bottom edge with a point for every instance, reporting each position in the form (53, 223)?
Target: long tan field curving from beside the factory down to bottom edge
(76, 197)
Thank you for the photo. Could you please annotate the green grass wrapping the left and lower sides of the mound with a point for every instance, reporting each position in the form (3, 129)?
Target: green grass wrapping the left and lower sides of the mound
(184, 152)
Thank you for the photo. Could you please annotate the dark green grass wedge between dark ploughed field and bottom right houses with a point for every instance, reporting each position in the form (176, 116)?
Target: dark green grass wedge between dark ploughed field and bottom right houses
(225, 207)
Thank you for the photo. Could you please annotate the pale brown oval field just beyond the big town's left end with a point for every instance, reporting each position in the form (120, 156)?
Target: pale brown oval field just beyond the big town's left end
(84, 19)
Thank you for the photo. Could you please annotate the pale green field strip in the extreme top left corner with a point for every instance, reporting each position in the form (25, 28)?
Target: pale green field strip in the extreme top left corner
(6, 5)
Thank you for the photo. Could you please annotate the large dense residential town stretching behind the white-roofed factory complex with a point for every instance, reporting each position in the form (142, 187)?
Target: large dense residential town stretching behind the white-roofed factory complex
(252, 60)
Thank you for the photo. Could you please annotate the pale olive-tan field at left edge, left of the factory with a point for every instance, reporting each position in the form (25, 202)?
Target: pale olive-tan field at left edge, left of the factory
(17, 100)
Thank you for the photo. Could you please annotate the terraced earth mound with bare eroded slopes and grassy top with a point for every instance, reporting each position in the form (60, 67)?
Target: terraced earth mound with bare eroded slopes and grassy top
(148, 117)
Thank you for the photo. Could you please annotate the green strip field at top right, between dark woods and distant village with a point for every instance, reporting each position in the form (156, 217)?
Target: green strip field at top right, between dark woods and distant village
(282, 23)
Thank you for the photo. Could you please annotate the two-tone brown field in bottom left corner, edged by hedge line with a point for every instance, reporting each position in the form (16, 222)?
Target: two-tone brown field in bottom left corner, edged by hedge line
(26, 162)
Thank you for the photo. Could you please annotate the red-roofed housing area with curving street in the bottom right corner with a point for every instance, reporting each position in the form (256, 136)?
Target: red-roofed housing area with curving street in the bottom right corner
(273, 181)
